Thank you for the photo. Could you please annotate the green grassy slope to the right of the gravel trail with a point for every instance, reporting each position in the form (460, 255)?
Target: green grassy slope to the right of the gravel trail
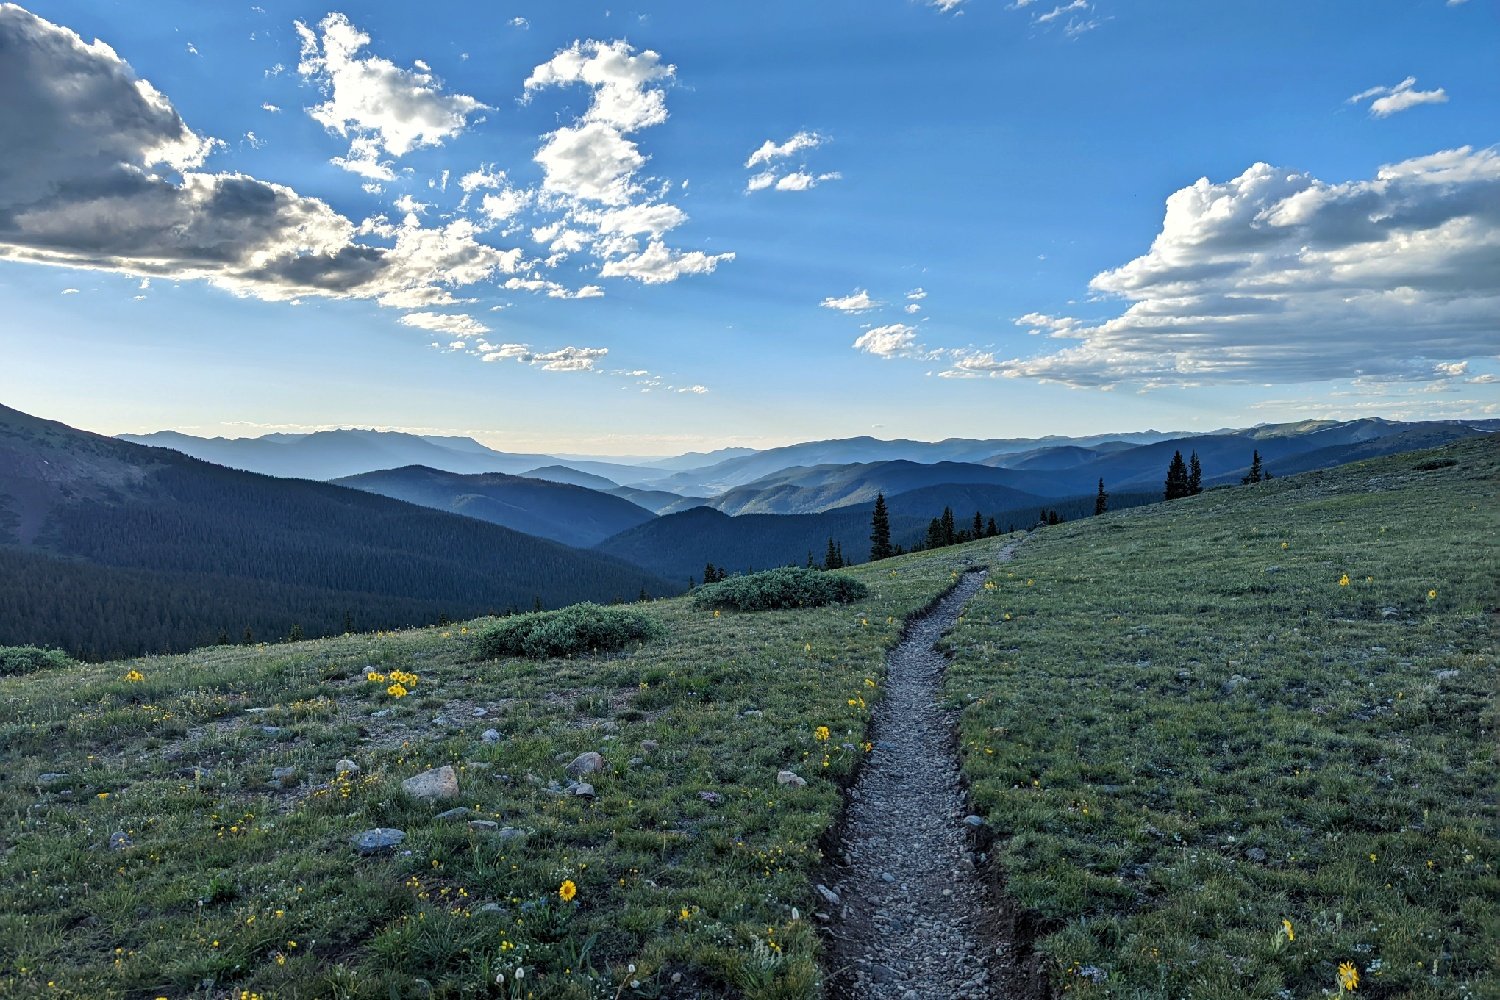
(1187, 731)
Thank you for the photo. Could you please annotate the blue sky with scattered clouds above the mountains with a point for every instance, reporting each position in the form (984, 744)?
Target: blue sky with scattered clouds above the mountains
(667, 227)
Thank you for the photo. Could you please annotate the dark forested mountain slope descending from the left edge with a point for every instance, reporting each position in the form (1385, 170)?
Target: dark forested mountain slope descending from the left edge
(110, 549)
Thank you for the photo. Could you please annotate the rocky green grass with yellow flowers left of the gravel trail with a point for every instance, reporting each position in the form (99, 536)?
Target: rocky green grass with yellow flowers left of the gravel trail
(235, 885)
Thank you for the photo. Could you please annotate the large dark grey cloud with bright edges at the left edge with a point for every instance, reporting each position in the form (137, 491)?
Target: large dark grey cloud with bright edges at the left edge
(103, 173)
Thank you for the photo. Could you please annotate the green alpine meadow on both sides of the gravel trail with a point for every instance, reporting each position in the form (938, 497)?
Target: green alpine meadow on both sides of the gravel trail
(1231, 746)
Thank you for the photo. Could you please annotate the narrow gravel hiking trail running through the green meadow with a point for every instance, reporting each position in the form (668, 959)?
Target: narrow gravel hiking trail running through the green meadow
(911, 920)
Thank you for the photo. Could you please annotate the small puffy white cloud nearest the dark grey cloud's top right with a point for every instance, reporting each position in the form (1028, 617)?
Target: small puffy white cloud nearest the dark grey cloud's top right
(377, 106)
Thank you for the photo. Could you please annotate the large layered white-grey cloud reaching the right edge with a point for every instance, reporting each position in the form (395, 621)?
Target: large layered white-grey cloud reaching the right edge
(1277, 277)
